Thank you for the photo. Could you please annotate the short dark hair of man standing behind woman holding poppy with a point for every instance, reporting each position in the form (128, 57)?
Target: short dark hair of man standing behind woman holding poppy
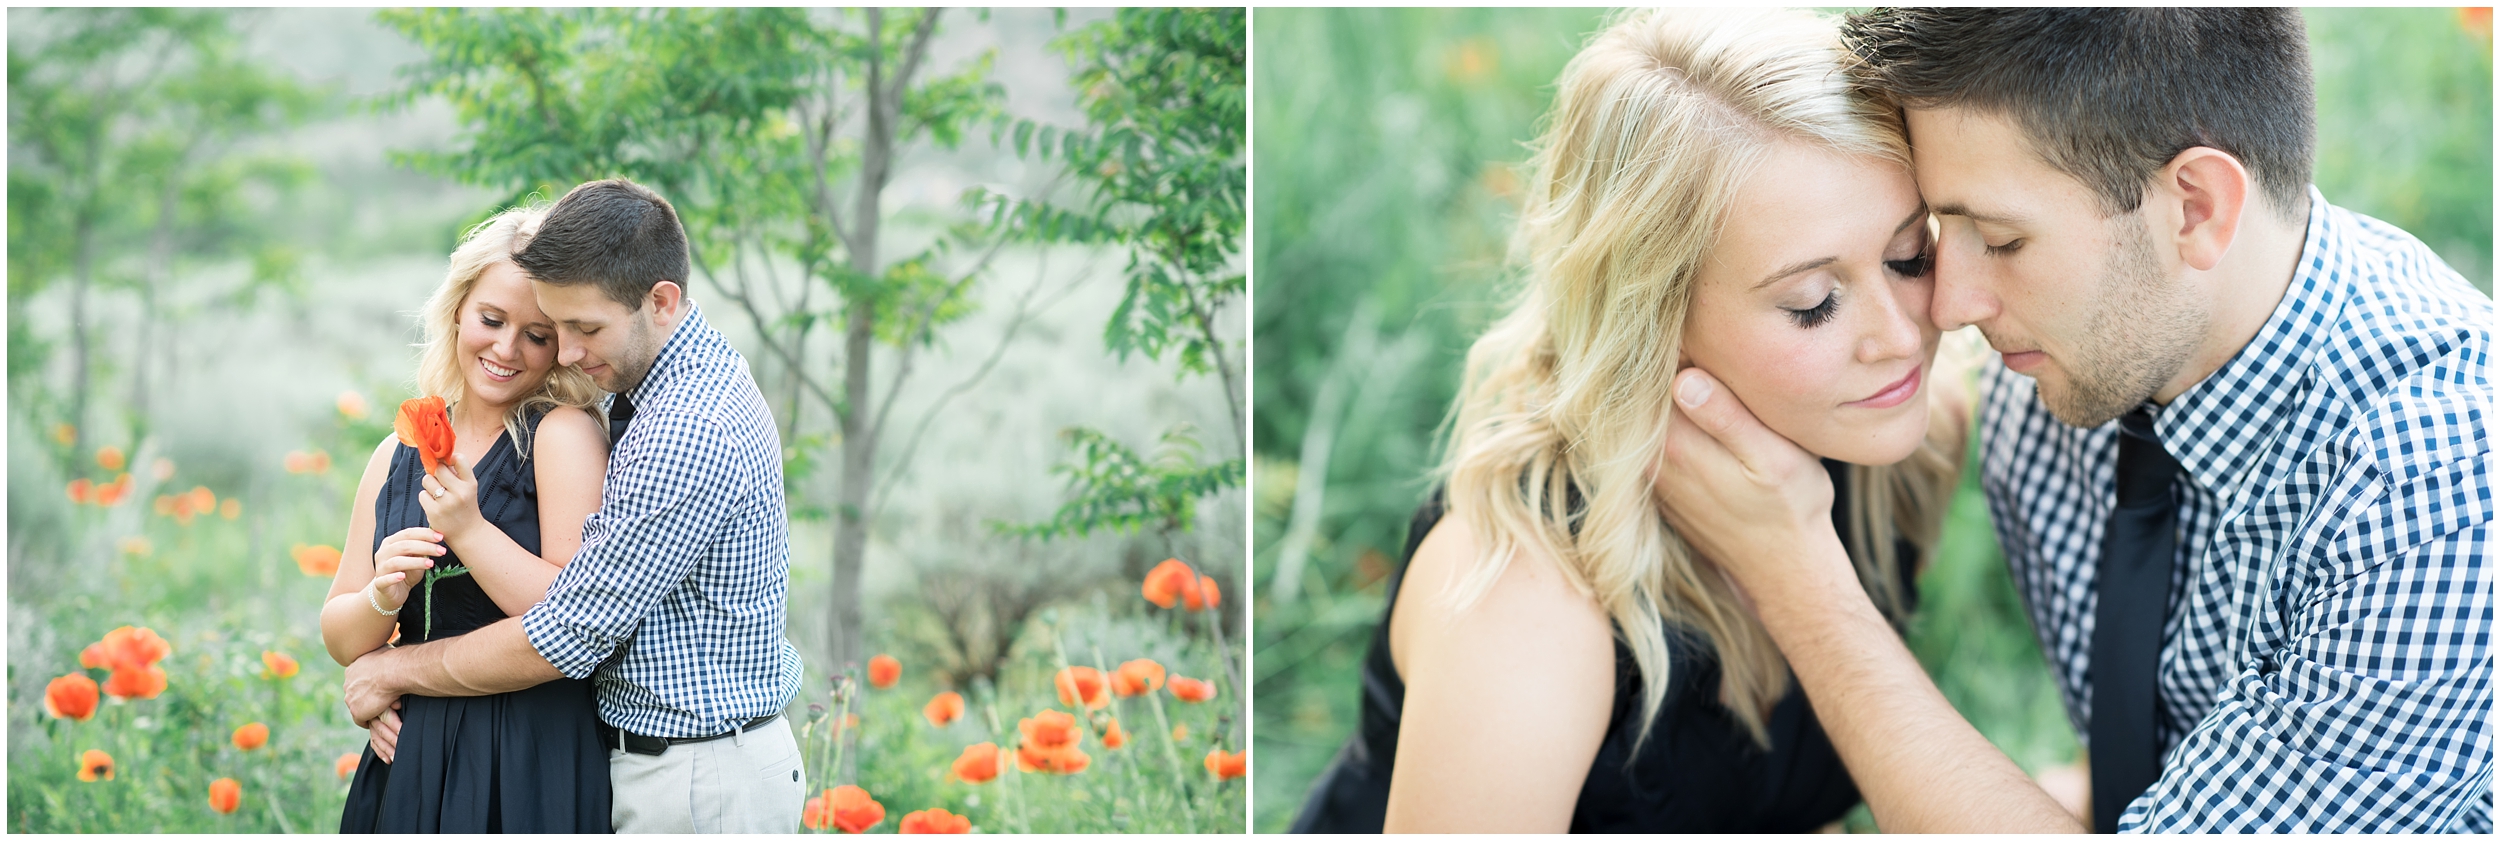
(614, 234)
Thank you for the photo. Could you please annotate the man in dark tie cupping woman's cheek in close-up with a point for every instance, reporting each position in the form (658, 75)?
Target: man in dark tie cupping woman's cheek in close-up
(2236, 449)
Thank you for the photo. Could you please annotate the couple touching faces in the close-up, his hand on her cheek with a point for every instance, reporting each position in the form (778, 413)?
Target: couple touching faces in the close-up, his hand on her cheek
(2234, 449)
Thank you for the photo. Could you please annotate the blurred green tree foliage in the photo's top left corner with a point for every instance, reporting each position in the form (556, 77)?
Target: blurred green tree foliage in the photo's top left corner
(131, 156)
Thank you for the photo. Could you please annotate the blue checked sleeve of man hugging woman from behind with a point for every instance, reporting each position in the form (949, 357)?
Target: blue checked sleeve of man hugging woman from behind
(666, 497)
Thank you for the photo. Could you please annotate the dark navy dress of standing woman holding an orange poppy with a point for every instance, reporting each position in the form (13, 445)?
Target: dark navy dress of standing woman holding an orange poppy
(526, 762)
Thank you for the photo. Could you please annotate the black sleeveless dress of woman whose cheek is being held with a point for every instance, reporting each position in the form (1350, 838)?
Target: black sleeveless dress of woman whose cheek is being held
(1696, 775)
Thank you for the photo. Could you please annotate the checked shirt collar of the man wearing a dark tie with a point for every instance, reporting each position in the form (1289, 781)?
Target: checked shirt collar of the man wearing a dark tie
(2224, 427)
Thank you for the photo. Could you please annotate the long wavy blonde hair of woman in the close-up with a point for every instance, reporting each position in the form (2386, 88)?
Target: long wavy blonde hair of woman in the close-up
(1656, 126)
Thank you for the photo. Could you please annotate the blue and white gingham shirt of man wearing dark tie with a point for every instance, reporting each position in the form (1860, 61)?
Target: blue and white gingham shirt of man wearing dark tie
(2326, 660)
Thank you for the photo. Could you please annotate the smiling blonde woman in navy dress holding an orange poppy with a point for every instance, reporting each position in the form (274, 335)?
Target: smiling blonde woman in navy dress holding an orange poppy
(434, 557)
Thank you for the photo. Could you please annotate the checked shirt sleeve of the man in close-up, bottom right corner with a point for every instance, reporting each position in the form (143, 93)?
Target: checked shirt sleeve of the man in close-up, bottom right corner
(2374, 705)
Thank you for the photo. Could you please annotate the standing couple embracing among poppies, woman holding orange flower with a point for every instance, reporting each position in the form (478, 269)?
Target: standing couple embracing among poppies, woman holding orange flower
(589, 599)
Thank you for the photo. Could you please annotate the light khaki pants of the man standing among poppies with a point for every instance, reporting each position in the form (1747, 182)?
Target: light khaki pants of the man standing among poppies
(736, 785)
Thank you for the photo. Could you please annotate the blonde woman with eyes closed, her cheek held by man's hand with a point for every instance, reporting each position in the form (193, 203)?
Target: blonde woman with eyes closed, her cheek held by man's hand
(1709, 191)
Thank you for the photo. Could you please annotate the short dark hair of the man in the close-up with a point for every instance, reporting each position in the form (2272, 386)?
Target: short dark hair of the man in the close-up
(2111, 96)
